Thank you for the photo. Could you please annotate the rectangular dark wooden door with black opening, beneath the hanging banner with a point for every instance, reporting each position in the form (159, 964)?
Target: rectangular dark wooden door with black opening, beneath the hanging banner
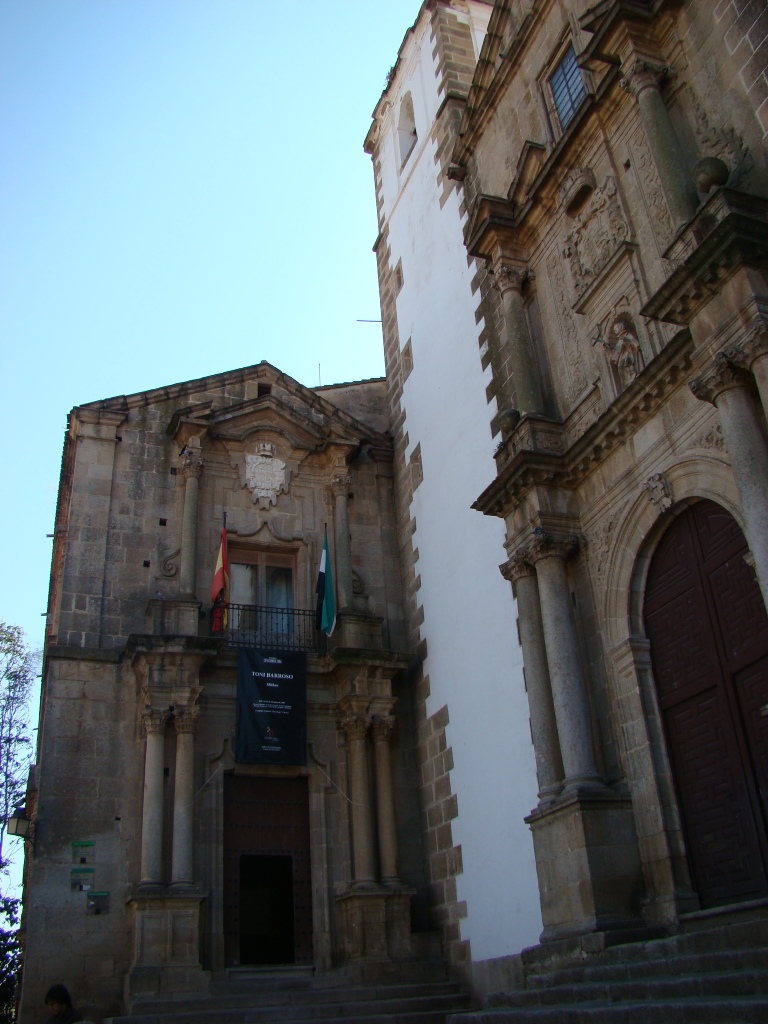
(268, 881)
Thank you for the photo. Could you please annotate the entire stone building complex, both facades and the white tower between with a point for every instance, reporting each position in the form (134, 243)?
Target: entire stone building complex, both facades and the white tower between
(573, 259)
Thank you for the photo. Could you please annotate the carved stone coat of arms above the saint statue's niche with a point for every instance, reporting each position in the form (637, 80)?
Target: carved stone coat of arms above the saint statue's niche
(599, 232)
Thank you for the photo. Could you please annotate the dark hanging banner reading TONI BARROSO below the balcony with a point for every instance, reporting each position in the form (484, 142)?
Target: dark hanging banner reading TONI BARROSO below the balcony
(272, 708)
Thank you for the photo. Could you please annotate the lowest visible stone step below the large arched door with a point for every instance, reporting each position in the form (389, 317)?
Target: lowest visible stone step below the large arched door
(735, 1010)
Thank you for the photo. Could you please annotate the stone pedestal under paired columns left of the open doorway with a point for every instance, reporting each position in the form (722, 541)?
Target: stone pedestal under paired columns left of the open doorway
(166, 946)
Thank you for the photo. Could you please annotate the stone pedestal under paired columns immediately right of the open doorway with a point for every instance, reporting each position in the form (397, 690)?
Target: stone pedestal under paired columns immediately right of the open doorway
(375, 925)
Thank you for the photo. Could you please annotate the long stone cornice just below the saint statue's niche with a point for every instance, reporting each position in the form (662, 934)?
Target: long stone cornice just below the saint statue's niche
(522, 471)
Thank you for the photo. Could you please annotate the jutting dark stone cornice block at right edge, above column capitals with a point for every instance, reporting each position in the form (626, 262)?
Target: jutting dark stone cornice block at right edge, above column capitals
(729, 233)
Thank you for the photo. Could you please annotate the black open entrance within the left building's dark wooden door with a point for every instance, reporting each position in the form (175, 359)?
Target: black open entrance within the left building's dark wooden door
(267, 910)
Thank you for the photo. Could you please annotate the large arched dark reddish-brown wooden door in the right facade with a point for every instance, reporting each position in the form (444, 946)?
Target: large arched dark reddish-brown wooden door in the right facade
(709, 644)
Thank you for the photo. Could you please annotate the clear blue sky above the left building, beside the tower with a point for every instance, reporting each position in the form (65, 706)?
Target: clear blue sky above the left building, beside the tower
(183, 191)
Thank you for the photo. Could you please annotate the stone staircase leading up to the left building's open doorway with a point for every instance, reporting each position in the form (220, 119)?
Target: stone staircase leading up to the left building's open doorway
(259, 998)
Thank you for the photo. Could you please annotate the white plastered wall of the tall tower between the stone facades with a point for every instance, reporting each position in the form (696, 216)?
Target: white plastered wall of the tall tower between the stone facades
(475, 661)
